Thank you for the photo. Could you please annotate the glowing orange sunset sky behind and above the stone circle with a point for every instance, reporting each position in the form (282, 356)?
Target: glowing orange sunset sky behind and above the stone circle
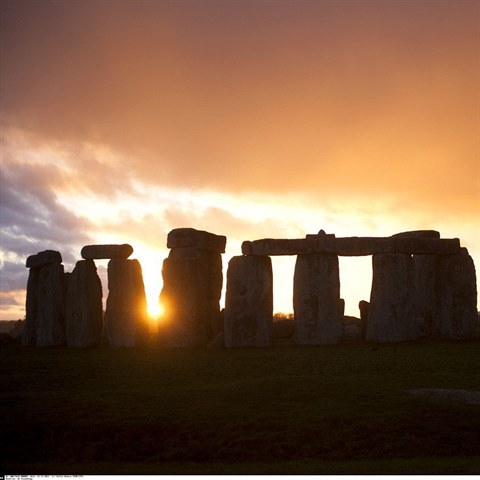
(124, 119)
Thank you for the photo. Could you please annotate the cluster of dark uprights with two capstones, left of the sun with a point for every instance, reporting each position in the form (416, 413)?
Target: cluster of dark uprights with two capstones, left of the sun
(66, 308)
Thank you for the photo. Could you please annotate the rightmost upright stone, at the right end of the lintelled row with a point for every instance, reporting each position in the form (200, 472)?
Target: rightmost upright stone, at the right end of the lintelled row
(455, 313)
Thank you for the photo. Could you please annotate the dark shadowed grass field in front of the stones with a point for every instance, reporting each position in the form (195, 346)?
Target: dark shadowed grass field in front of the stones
(342, 409)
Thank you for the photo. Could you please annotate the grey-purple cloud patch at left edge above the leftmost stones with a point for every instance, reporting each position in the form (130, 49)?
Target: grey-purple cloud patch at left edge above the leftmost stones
(32, 220)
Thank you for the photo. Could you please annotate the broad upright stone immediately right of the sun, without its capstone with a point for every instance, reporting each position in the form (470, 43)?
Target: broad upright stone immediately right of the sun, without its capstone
(192, 286)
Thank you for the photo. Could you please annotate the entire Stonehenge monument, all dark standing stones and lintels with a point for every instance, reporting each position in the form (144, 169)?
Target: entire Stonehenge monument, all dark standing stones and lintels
(423, 286)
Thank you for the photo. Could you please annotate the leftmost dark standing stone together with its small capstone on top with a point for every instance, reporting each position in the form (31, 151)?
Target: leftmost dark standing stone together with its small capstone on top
(45, 303)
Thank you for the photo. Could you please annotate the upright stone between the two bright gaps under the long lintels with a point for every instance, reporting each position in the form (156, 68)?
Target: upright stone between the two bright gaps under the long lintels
(316, 300)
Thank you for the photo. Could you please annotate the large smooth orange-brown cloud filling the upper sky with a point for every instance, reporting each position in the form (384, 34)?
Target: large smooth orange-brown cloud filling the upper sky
(326, 98)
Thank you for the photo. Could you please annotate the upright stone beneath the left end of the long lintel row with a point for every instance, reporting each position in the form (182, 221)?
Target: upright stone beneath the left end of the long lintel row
(249, 302)
